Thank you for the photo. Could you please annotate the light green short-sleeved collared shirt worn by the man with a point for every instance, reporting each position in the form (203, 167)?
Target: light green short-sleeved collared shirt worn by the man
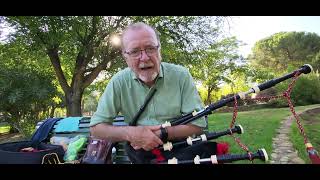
(176, 95)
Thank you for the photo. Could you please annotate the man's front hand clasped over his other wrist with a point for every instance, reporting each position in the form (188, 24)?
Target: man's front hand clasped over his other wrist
(145, 137)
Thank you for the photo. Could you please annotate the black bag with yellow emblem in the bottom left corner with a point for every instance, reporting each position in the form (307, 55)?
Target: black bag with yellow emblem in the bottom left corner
(10, 153)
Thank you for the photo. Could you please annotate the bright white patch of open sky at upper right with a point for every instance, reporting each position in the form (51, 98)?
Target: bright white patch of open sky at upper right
(250, 29)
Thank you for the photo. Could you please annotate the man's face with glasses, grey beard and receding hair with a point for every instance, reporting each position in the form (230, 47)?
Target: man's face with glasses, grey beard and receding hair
(142, 53)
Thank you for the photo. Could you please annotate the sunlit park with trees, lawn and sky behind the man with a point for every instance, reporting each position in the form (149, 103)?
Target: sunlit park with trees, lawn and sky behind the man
(58, 66)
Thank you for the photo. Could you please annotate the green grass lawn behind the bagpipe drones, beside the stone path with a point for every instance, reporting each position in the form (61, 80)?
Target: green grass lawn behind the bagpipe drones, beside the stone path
(259, 126)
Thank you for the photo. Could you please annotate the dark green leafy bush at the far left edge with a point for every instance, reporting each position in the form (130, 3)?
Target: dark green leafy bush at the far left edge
(26, 90)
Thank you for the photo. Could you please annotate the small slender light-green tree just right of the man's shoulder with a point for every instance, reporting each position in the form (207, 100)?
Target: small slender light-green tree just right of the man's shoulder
(216, 64)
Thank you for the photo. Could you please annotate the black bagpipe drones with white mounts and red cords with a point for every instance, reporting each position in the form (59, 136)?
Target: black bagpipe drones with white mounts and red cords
(260, 154)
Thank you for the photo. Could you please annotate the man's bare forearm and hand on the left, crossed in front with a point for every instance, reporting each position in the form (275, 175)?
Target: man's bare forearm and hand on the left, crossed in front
(139, 136)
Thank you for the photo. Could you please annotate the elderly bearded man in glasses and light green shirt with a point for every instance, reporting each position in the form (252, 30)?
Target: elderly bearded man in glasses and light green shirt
(176, 95)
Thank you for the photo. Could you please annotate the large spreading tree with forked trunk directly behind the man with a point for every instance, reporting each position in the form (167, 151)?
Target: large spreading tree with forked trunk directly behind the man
(79, 47)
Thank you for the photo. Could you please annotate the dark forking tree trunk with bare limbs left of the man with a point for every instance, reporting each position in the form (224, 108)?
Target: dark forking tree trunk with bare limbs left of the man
(74, 91)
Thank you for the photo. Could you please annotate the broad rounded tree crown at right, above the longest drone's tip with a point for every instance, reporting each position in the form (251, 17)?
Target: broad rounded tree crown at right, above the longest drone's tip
(286, 51)
